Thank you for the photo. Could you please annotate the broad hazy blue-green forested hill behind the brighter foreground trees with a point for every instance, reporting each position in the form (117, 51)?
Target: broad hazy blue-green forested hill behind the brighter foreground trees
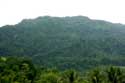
(65, 42)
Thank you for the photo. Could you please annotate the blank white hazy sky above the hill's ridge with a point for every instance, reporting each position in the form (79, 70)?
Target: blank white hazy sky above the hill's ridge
(13, 11)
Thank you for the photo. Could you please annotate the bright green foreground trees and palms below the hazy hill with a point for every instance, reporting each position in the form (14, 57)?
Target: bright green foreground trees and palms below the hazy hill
(22, 70)
